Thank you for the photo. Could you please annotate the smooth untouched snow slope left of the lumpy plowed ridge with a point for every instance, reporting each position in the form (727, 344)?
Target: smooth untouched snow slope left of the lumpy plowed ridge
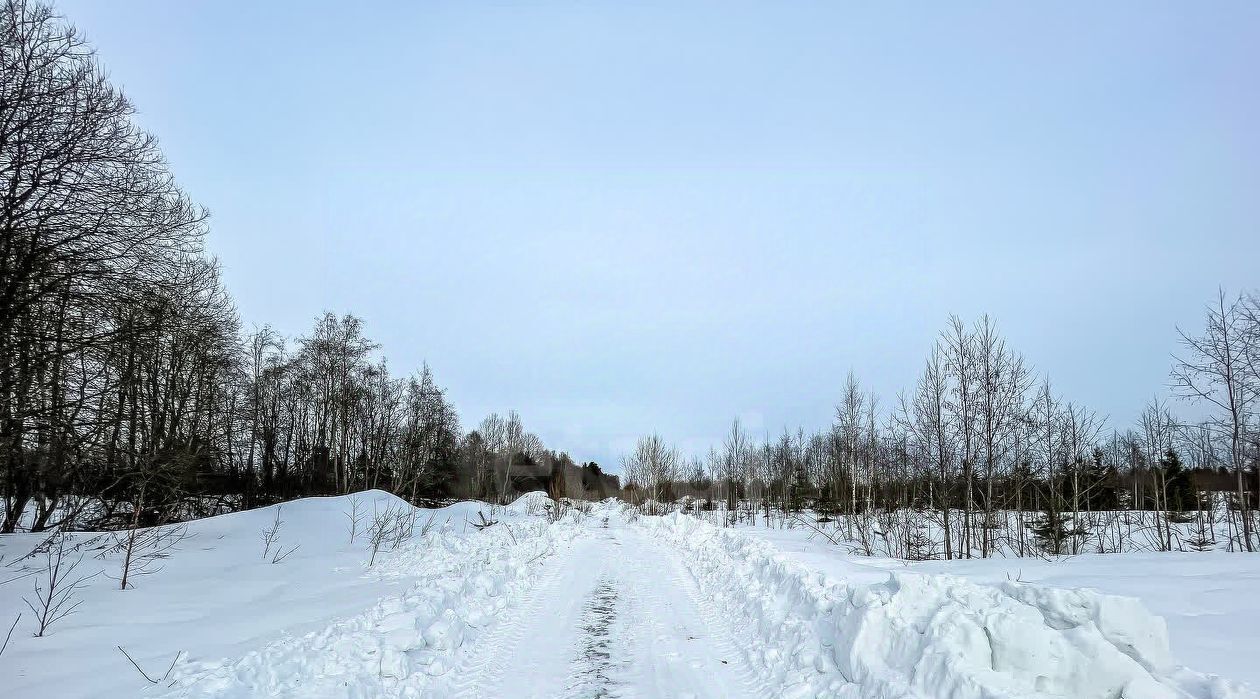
(215, 595)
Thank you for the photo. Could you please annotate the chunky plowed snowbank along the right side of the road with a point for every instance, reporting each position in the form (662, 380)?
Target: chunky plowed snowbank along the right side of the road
(938, 637)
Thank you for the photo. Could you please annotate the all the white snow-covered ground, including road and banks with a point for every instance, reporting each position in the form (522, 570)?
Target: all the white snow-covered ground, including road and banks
(610, 604)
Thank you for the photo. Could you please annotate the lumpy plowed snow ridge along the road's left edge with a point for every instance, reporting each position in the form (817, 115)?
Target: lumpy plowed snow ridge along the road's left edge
(408, 645)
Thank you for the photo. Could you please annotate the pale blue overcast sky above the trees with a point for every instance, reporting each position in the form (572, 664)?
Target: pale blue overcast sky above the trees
(623, 217)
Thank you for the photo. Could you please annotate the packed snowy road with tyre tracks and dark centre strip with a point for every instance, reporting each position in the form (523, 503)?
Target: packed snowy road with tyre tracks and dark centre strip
(618, 617)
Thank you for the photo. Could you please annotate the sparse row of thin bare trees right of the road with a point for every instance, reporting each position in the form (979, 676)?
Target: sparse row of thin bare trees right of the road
(982, 457)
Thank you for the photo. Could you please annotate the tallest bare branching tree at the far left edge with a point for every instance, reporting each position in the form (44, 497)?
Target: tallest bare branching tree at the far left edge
(90, 221)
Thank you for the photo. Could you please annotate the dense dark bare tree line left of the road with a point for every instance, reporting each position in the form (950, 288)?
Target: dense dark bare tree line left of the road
(129, 391)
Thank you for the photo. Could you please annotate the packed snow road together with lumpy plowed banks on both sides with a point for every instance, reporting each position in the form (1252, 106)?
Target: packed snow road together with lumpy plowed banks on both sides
(613, 605)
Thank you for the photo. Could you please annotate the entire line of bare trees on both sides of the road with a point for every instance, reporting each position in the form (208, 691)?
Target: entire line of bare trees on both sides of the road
(132, 395)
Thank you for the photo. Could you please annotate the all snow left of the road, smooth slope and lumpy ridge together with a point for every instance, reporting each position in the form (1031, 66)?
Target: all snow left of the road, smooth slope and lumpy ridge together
(219, 598)
